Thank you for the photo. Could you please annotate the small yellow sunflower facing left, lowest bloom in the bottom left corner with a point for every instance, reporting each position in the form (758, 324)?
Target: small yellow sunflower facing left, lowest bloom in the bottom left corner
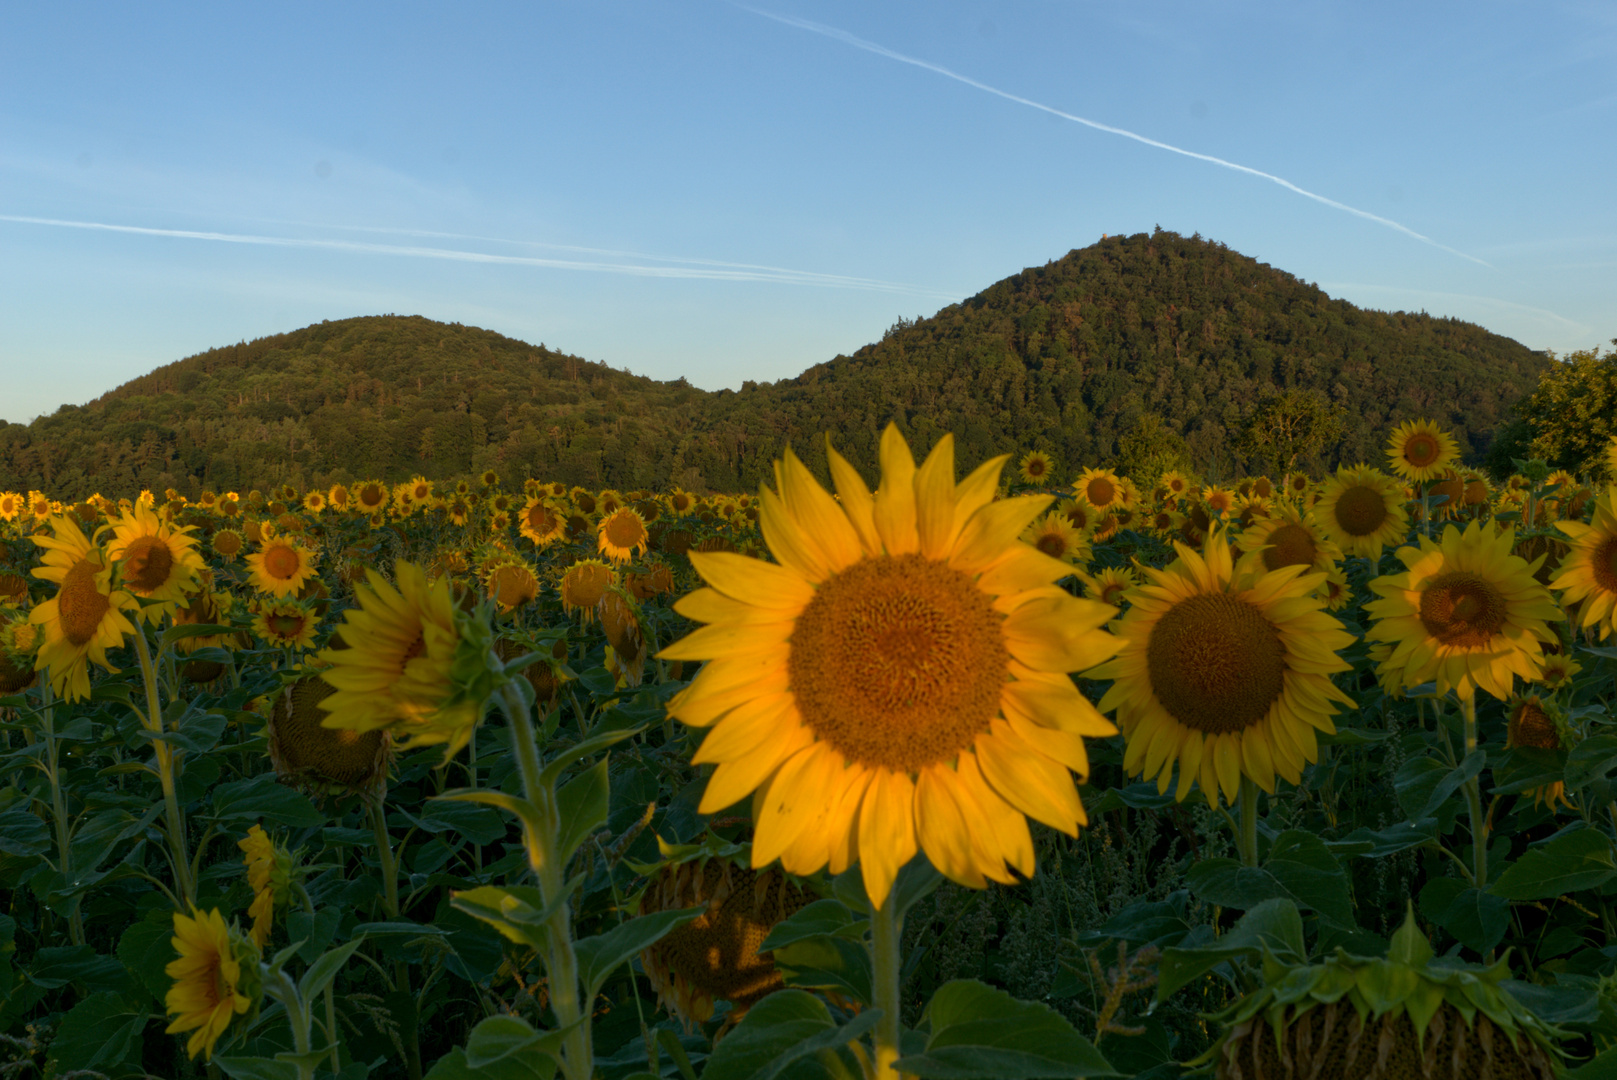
(216, 966)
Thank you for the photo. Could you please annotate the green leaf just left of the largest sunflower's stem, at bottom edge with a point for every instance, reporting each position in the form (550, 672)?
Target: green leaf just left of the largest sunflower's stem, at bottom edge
(782, 1037)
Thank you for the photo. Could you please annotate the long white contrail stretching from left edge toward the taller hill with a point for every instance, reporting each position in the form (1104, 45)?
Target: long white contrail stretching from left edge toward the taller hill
(711, 272)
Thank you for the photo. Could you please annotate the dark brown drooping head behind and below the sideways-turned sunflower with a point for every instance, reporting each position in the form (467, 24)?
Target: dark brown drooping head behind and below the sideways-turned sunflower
(324, 761)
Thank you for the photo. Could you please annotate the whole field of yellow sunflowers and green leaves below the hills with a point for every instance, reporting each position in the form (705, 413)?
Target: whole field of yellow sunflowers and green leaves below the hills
(1008, 777)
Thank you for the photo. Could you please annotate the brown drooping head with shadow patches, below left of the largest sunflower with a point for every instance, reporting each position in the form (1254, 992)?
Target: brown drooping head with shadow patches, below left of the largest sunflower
(717, 956)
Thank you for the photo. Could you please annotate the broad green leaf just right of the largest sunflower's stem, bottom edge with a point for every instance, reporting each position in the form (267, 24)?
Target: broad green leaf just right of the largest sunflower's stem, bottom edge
(986, 1034)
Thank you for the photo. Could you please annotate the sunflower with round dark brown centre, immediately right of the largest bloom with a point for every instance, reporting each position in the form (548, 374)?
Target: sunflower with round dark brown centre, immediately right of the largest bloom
(1225, 672)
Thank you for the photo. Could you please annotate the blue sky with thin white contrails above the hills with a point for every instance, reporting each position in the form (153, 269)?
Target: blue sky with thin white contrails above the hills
(728, 193)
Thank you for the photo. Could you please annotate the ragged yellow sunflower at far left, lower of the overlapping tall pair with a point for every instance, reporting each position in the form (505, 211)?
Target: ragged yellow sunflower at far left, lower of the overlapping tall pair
(87, 615)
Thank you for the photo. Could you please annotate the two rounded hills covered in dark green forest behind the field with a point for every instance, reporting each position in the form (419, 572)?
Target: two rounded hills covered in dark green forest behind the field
(1155, 335)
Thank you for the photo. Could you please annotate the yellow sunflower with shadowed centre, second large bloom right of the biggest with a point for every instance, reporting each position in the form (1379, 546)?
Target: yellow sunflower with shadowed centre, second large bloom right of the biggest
(1466, 615)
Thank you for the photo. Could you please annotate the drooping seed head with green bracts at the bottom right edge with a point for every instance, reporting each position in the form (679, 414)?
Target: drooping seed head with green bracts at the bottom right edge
(1383, 1019)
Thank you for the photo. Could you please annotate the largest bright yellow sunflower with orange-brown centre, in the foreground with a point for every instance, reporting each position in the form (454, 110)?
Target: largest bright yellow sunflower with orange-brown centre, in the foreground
(898, 683)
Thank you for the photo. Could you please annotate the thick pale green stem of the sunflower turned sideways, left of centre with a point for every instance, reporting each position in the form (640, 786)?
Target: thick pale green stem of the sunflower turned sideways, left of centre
(562, 963)
